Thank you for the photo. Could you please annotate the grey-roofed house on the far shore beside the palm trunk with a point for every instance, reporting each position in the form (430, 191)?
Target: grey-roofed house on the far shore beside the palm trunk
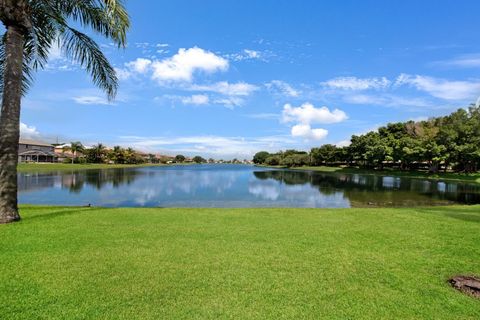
(35, 151)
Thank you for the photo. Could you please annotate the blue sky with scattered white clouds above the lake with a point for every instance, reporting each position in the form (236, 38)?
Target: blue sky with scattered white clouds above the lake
(228, 78)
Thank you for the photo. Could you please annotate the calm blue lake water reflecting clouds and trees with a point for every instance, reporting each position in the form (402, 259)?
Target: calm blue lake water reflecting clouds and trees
(236, 186)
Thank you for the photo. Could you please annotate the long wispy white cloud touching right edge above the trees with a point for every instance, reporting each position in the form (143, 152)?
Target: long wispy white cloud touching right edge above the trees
(441, 88)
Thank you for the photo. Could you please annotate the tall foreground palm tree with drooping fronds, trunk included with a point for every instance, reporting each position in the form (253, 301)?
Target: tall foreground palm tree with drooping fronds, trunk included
(32, 28)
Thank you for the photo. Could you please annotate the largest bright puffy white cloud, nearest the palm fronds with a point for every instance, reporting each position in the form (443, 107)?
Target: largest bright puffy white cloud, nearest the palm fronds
(185, 63)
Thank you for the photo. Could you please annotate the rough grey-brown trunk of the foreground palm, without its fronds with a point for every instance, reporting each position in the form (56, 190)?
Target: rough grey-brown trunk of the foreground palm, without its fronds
(10, 124)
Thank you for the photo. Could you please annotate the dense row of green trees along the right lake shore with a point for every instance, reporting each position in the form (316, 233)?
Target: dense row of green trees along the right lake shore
(442, 143)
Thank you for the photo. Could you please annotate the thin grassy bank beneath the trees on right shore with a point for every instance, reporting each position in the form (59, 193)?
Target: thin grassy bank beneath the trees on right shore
(475, 177)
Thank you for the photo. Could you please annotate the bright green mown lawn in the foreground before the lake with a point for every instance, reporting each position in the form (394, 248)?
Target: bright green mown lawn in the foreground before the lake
(93, 263)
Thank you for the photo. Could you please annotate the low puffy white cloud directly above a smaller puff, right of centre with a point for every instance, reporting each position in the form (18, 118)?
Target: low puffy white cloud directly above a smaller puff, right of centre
(307, 114)
